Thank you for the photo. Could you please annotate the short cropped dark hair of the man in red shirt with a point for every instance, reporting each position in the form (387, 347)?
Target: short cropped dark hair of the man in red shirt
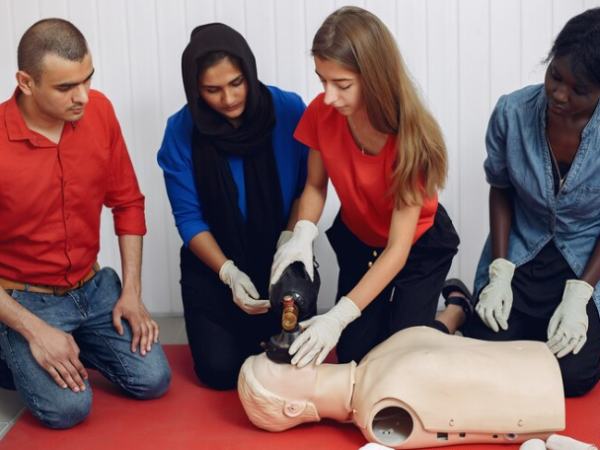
(56, 36)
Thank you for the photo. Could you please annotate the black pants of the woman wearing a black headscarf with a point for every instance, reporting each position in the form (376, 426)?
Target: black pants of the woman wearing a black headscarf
(220, 334)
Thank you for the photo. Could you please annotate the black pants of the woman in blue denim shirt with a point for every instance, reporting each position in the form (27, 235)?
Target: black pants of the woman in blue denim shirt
(580, 373)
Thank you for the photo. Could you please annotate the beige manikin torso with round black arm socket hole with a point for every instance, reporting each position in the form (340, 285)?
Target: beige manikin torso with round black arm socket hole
(424, 388)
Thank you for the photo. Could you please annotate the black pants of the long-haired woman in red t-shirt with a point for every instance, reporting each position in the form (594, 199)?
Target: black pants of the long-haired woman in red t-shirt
(411, 298)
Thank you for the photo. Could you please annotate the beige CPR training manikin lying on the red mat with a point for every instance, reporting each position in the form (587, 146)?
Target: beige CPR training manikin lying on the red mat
(420, 388)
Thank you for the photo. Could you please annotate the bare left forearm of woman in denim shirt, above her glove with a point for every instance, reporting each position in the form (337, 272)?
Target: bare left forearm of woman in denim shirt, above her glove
(500, 221)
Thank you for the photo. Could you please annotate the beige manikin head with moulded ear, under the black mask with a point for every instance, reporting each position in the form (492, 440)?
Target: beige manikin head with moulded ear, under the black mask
(276, 397)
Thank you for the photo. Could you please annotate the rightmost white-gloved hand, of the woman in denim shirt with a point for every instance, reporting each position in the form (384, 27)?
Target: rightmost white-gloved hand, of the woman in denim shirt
(567, 331)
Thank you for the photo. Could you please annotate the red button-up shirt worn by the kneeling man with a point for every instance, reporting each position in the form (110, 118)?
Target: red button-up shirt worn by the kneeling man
(51, 195)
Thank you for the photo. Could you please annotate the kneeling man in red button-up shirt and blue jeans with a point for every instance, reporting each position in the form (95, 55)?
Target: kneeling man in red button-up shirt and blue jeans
(62, 158)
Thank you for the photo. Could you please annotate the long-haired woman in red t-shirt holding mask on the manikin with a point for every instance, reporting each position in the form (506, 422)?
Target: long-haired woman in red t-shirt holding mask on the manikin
(371, 135)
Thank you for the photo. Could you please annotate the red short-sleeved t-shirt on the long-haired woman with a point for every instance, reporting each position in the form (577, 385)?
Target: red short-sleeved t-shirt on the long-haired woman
(361, 181)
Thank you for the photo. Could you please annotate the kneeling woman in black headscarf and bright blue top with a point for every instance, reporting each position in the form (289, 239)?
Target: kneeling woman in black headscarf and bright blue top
(233, 173)
